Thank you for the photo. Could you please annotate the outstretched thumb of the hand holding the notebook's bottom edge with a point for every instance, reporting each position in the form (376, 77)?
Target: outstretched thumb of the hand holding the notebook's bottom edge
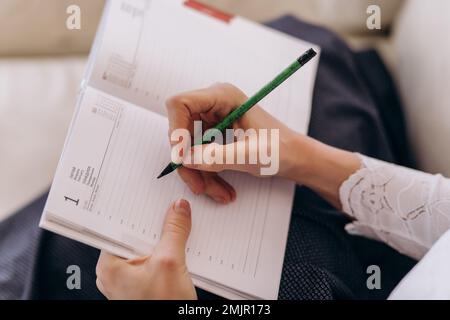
(176, 230)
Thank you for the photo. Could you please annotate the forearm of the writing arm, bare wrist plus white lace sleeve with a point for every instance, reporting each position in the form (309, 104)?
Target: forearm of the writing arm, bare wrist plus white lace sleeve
(407, 209)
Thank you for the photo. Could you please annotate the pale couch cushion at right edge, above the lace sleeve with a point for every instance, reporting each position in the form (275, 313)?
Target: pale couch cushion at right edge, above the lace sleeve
(422, 50)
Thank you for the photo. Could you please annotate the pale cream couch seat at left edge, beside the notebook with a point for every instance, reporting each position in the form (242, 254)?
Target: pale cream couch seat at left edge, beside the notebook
(36, 104)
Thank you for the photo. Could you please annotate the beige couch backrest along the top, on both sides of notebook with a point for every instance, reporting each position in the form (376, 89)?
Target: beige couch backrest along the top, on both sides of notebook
(39, 26)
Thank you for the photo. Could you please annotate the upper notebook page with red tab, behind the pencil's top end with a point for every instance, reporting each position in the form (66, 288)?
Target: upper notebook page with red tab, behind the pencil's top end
(152, 49)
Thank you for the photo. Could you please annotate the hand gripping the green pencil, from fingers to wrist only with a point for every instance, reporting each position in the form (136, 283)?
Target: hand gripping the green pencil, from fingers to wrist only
(211, 105)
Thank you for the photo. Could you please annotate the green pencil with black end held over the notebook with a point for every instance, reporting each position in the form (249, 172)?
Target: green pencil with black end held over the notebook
(250, 103)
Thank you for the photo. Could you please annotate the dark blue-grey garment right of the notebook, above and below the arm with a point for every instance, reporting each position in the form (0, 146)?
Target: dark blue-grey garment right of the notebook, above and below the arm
(350, 111)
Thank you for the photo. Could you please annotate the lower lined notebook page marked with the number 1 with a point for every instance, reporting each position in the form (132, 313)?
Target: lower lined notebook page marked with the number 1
(106, 183)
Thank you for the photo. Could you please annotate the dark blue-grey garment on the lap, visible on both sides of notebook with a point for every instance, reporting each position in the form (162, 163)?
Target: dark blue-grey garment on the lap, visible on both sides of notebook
(322, 261)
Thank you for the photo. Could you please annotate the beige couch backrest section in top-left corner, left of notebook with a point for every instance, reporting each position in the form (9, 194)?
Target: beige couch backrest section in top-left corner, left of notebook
(39, 27)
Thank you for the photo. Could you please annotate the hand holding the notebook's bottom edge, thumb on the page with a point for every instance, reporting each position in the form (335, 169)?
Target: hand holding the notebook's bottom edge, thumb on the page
(160, 276)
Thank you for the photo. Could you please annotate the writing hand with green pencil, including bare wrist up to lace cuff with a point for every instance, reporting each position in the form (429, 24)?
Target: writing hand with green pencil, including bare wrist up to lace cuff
(301, 159)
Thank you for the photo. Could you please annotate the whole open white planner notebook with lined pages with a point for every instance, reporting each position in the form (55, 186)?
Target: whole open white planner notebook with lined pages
(105, 192)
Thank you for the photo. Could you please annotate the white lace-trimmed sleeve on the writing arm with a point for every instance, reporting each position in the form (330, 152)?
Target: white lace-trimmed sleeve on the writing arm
(407, 209)
